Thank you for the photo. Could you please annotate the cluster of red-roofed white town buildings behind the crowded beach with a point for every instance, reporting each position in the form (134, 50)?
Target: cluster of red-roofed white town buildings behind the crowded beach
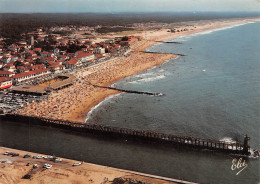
(46, 52)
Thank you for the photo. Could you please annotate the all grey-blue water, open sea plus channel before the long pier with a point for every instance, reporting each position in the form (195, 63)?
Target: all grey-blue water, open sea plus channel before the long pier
(212, 92)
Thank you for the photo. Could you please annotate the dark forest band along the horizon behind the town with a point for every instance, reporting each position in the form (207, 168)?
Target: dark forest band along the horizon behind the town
(12, 25)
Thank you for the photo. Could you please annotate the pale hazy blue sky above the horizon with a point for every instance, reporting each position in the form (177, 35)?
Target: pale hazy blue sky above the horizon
(127, 5)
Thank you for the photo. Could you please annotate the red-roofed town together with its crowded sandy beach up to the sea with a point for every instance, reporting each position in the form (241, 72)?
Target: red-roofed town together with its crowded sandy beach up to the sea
(34, 69)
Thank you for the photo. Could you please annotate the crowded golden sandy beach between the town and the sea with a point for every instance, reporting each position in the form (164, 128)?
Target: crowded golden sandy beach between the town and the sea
(74, 103)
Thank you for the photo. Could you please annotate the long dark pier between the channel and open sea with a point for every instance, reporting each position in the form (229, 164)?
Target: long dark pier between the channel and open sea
(137, 135)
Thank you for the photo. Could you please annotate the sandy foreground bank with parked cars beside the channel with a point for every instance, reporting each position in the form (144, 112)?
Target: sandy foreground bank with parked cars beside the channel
(64, 171)
